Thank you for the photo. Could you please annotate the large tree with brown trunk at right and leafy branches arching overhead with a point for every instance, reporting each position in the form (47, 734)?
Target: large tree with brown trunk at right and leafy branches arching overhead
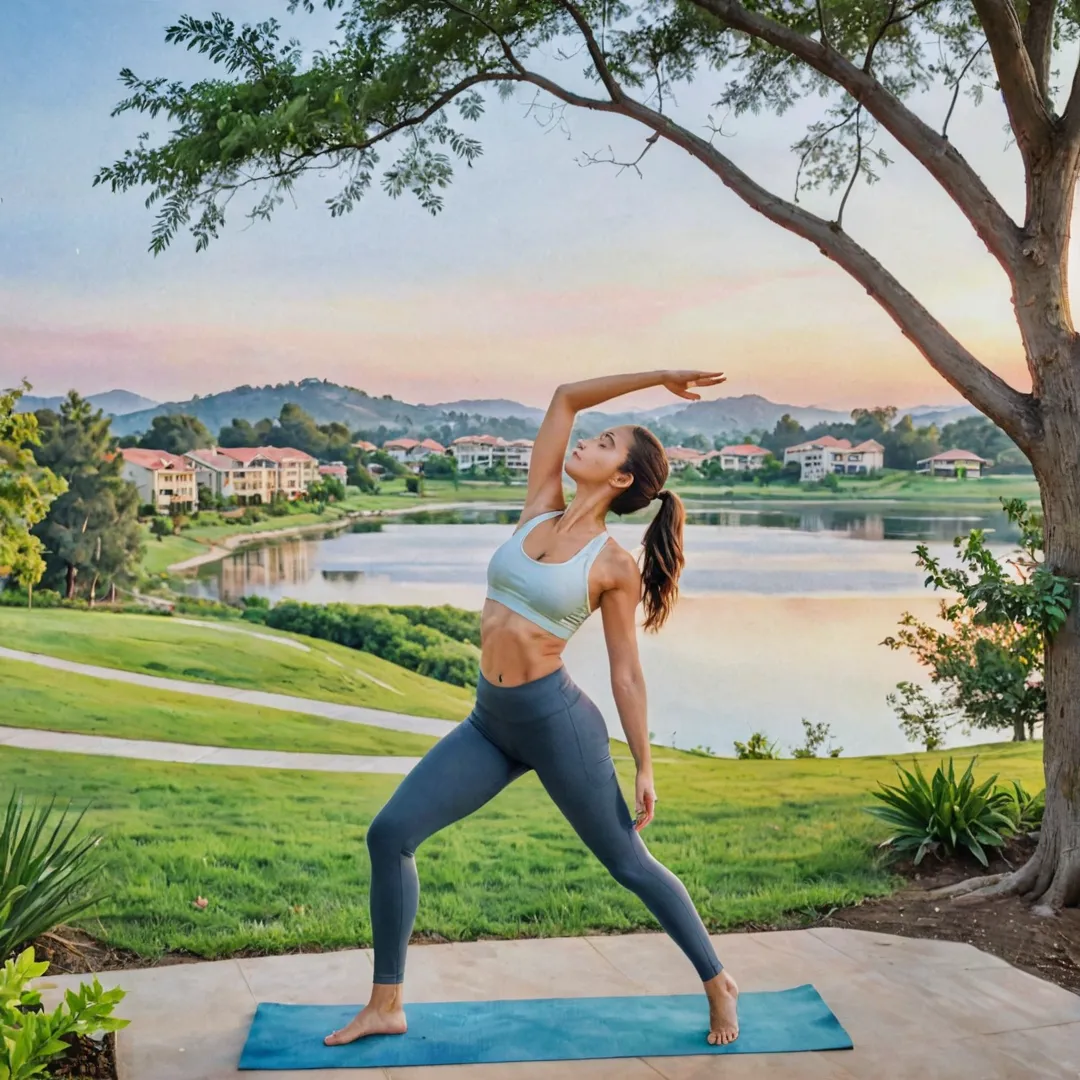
(397, 69)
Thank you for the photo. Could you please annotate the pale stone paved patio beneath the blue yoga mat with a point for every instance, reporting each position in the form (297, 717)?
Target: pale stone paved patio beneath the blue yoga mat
(914, 1009)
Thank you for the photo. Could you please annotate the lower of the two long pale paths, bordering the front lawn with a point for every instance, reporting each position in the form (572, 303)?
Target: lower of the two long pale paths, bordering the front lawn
(144, 750)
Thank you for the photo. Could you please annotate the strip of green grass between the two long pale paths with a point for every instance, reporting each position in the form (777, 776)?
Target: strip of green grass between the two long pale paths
(60, 701)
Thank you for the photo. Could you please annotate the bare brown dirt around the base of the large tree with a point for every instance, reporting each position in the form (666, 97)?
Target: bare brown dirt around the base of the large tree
(1047, 948)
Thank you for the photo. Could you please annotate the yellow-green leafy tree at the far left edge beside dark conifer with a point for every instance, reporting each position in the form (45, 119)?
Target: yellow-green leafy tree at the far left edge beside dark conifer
(26, 491)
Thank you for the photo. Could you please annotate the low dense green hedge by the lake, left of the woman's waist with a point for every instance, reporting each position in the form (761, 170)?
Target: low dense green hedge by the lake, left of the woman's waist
(385, 632)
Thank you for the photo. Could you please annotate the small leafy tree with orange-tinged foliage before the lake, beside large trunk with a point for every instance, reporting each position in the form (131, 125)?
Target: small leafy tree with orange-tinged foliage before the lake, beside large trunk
(990, 665)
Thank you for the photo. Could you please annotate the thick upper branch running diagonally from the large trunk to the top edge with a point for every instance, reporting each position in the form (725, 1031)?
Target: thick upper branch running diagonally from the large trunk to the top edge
(996, 229)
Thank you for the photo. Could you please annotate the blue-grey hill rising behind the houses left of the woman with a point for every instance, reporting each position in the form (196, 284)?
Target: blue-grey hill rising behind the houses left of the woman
(325, 401)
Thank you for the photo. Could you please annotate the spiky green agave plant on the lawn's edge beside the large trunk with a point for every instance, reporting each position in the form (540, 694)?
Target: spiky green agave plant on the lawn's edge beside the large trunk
(944, 813)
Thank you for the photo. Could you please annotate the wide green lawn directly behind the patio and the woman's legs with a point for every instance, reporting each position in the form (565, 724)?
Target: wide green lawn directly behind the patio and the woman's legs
(281, 858)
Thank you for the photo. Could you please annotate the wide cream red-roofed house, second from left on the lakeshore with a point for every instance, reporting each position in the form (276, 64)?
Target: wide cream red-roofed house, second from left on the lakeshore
(253, 475)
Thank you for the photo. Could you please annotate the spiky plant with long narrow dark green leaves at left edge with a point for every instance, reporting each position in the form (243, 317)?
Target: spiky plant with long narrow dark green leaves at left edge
(44, 874)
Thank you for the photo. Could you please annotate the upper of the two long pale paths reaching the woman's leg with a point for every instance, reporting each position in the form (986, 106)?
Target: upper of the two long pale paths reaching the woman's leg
(352, 714)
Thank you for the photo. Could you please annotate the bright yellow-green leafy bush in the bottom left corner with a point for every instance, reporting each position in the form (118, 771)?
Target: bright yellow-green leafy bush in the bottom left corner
(30, 1037)
